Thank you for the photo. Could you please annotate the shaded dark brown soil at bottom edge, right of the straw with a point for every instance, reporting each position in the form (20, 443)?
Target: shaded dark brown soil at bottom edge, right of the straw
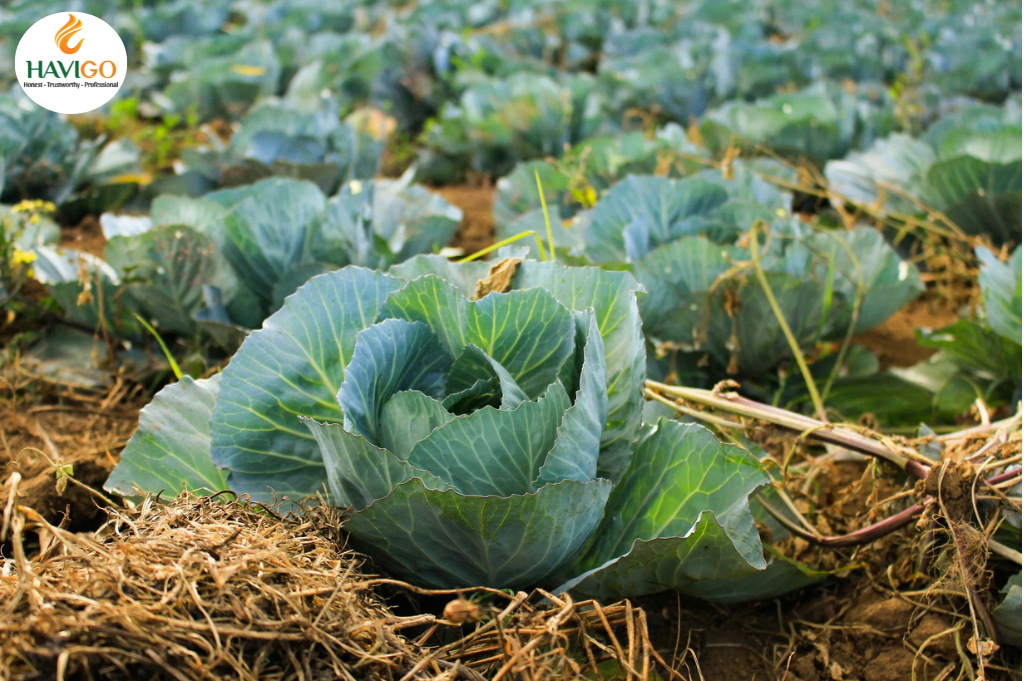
(845, 631)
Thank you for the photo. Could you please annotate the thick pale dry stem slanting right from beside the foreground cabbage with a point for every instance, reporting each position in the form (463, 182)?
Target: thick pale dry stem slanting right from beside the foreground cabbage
(826, 433)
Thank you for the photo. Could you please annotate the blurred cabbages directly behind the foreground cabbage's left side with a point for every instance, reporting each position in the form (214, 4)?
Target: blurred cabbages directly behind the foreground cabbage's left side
(222, 264)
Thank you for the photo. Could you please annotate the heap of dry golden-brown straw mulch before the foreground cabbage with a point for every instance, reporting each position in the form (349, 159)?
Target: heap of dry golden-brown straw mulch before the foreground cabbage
(216, 589)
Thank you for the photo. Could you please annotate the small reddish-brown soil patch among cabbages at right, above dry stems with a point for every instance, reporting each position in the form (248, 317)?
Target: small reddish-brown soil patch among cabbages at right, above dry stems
(895, 342)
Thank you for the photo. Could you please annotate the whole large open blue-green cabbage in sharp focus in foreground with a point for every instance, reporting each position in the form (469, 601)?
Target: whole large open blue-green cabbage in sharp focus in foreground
(477, 440)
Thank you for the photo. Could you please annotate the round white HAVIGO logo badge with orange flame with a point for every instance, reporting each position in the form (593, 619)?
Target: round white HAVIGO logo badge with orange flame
(71, 63)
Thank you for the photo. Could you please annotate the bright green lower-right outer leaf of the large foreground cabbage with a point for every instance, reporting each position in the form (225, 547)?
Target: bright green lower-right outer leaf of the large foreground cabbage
(680, 516)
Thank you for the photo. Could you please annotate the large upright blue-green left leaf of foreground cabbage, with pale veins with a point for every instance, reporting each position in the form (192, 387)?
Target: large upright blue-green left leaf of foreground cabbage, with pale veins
(293, 367)
